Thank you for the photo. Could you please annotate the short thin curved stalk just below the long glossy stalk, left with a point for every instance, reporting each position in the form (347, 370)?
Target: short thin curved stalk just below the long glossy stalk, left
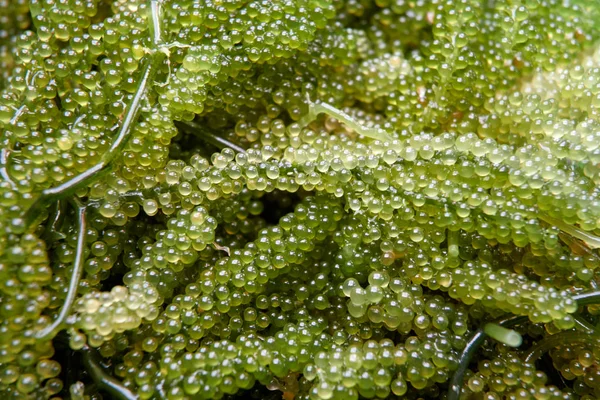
(50, 331)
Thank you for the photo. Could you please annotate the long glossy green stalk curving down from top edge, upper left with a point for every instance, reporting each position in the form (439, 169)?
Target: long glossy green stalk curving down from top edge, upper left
(69, 187)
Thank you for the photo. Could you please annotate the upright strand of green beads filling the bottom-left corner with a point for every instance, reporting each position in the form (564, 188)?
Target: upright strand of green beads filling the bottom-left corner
(26, 291)
